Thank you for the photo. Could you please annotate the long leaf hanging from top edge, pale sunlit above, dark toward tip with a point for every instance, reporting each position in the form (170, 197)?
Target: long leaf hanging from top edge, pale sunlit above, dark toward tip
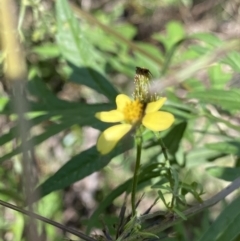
(76, 49)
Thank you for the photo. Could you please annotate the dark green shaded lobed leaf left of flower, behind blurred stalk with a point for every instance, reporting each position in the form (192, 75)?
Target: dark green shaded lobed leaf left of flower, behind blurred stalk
(67, 113)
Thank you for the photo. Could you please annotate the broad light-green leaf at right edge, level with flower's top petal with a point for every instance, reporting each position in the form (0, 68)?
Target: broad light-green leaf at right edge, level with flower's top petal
(226, 99)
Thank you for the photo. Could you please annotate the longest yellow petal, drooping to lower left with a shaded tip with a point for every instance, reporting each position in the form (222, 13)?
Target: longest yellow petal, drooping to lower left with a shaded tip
(111, 136)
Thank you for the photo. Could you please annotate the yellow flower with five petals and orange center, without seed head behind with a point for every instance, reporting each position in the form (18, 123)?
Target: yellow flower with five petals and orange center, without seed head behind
(130, 113)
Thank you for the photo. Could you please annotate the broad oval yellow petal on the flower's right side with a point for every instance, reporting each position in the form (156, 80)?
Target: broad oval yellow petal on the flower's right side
(158, 121)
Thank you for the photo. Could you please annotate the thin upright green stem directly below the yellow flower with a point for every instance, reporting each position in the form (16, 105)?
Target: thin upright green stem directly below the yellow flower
(135, 176)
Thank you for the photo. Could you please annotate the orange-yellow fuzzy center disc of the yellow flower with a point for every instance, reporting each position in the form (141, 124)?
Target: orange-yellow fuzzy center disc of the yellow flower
(133, 111)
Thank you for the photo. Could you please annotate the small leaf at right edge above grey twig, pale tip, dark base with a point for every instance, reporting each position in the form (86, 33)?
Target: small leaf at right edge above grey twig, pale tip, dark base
(226, 173)
